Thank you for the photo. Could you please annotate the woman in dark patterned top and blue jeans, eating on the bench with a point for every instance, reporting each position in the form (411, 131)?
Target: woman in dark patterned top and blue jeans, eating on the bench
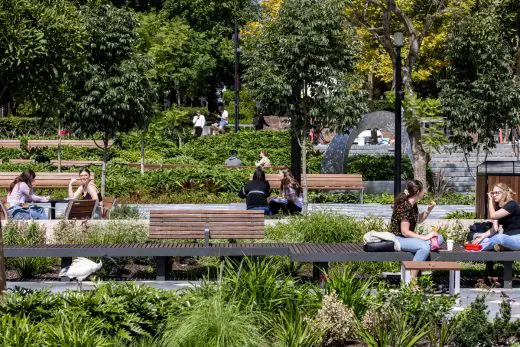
(406, 217)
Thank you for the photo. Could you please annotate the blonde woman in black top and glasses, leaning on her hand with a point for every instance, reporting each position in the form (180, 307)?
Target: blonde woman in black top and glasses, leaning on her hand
(504, 211)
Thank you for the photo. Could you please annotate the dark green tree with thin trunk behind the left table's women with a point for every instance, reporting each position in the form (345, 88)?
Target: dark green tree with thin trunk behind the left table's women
(112, 94)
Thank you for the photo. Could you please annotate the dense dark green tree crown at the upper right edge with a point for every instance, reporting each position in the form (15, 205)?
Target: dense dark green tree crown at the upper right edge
(480, 93)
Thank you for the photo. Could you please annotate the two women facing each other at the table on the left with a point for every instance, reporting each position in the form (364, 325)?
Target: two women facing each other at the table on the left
(21, 196)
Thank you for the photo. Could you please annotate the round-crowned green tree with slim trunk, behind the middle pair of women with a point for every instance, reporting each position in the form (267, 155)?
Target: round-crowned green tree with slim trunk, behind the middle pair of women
(301, 64)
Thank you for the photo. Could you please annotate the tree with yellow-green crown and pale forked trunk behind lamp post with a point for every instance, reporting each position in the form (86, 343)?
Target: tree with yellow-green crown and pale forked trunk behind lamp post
(381, 18)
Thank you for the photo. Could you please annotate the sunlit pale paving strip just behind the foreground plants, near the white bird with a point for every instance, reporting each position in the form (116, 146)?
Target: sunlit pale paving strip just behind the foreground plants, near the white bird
(493, 298)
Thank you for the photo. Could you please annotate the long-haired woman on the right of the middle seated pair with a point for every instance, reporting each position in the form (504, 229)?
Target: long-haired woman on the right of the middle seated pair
(292, 200)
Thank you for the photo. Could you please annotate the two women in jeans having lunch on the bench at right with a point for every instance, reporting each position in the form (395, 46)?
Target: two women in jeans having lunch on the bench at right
(503, 211)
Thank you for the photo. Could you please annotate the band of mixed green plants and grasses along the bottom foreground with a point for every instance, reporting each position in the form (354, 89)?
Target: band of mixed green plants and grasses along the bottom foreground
(253, 303)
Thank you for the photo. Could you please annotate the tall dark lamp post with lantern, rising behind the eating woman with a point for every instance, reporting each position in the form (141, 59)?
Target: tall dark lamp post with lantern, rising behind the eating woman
(398, 42)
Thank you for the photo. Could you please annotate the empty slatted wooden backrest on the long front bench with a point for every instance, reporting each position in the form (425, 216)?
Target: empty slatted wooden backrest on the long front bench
(222, 224)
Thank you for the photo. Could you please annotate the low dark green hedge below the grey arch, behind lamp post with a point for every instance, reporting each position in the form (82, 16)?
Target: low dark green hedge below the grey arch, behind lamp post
(378, 168)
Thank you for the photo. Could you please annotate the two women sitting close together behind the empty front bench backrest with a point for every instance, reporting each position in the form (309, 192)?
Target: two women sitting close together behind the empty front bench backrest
(257, 193)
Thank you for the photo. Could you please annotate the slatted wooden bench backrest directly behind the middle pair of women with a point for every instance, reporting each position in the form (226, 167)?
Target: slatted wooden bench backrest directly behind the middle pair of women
(324, 181)
